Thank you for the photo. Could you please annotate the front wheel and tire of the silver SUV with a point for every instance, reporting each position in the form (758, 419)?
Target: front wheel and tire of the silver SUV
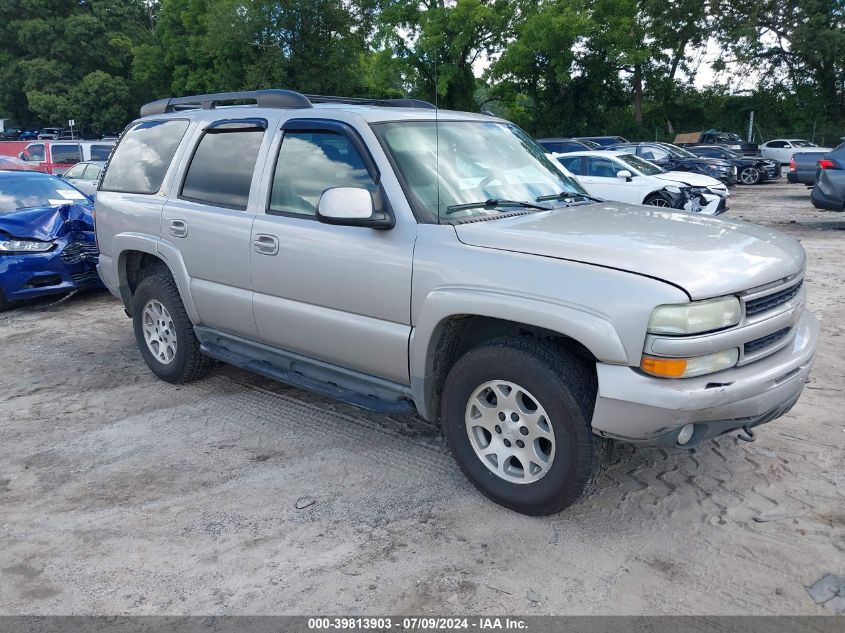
(561, 387)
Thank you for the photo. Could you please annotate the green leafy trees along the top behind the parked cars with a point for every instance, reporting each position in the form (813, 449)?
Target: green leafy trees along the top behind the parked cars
(553, 66)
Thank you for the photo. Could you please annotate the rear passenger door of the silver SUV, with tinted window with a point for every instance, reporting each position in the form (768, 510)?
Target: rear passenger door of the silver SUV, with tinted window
(209, 221)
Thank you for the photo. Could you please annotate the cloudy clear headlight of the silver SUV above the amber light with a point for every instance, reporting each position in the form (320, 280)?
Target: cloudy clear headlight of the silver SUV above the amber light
(696, 317)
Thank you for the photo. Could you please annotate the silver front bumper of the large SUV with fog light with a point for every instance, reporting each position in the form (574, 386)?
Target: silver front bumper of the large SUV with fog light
(634, 407)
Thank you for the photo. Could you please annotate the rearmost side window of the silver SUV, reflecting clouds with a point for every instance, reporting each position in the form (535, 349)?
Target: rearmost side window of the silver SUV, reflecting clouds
(143, 156)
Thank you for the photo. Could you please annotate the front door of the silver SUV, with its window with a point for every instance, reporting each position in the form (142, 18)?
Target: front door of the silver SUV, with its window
(339, 294)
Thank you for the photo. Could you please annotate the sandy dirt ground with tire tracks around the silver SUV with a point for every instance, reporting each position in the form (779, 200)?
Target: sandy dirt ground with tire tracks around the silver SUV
(120, 494)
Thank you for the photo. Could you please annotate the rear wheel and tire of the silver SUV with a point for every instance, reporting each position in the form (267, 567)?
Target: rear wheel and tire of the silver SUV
(174, 352)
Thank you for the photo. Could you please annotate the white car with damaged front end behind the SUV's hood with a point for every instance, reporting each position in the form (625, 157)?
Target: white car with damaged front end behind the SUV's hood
(624, 177)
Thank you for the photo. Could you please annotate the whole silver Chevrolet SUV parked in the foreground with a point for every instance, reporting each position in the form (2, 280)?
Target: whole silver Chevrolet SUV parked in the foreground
(395, 256)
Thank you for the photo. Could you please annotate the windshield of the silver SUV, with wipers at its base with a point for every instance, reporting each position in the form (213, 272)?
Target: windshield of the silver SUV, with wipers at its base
(447, 164)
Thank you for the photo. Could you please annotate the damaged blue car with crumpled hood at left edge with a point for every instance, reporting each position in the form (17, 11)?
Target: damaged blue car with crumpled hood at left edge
(47, 243)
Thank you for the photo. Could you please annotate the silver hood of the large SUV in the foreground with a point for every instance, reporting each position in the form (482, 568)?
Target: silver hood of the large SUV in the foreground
(705, 256)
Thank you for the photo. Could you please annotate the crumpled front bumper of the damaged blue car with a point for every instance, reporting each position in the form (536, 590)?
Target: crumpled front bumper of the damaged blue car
(69, 266)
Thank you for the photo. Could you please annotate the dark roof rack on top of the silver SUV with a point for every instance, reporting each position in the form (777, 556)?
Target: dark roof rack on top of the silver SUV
(286, 99)
